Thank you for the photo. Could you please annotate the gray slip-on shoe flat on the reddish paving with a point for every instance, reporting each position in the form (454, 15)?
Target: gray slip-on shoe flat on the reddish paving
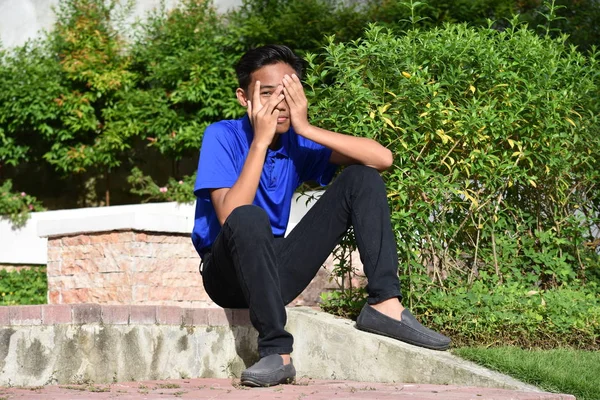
(269, 371)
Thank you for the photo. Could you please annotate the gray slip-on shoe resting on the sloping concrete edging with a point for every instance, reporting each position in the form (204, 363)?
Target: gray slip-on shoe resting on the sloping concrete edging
(408, 330)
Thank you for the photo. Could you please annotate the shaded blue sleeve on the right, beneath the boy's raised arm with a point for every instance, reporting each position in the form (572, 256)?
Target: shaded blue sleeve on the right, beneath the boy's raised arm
(316, 165)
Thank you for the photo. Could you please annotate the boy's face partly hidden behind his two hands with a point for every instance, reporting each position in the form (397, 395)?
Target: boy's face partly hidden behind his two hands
(270, 76)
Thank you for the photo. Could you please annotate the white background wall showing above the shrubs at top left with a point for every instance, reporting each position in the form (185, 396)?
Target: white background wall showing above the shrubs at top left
(21, 20)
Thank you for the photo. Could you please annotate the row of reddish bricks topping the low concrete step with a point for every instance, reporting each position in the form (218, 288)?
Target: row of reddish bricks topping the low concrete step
(77, 314)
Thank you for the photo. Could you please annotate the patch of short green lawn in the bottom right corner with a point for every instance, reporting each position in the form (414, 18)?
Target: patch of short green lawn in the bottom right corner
(568, 371)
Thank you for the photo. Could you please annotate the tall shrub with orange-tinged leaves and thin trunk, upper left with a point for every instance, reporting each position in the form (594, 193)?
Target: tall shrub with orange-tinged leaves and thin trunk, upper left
(87, 133)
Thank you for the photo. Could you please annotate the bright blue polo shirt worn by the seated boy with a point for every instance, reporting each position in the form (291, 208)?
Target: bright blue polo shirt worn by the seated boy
(224, 149)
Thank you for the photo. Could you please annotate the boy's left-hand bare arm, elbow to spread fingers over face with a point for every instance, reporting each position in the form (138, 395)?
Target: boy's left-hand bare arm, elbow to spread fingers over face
(264, 123)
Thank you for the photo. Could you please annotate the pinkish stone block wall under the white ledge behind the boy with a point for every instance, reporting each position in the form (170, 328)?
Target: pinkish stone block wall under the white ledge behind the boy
(134, 267)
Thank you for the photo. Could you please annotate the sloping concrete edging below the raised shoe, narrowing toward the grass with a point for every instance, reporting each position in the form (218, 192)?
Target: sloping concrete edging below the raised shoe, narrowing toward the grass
(334, 348)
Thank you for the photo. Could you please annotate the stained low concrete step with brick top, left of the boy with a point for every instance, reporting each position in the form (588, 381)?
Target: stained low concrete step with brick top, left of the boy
(67, 344)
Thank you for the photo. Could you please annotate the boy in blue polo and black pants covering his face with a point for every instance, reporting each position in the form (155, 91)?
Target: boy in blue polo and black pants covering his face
(248, 171)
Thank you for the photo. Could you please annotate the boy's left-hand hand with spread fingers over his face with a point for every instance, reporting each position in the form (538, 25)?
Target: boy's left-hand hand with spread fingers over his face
(263, 117)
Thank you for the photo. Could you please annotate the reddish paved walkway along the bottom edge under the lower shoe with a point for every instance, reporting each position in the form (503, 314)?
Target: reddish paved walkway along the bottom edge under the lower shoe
(304, 389)
